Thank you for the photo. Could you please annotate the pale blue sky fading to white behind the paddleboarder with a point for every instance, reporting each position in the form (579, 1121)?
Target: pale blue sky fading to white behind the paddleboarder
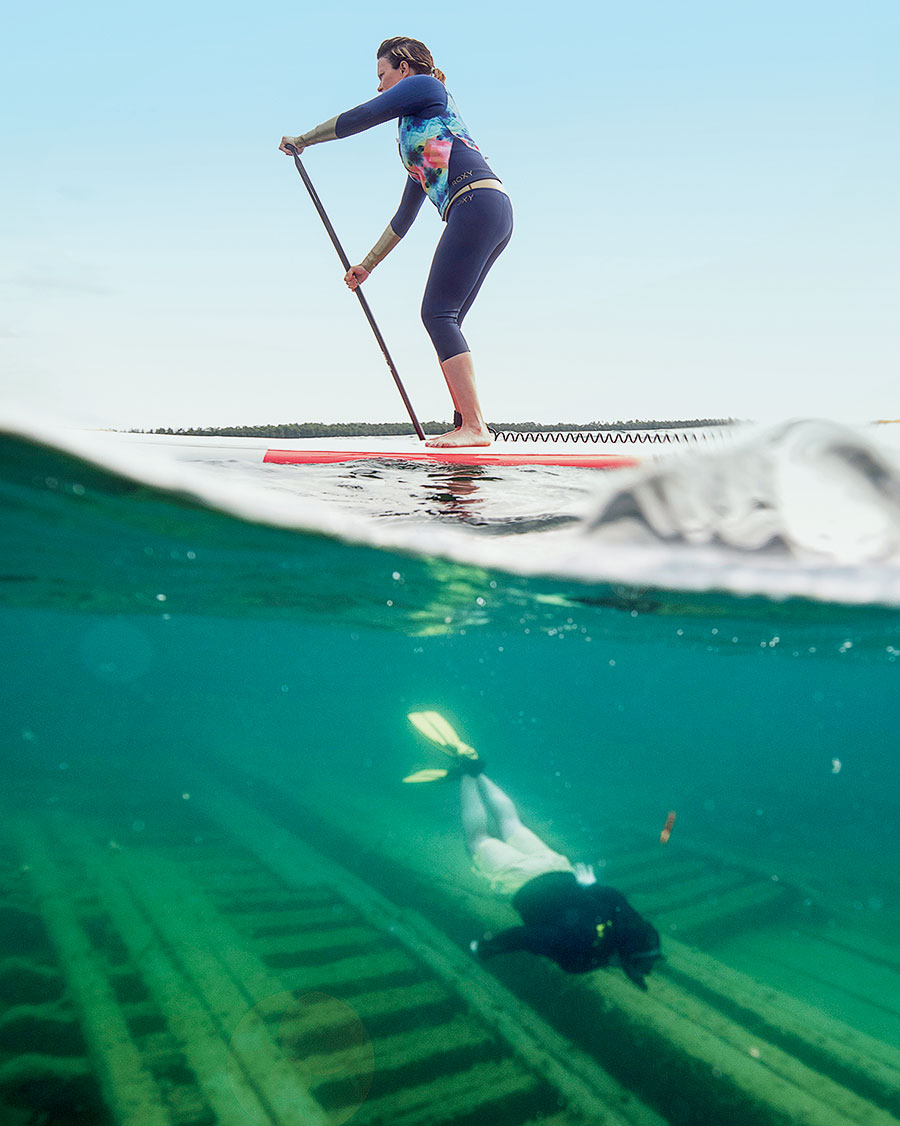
(706, 200)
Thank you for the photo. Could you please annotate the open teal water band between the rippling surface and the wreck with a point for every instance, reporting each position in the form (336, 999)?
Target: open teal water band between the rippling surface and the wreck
(741, 744)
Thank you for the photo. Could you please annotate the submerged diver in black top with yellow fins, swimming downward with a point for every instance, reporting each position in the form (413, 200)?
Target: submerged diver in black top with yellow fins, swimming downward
(567, 916)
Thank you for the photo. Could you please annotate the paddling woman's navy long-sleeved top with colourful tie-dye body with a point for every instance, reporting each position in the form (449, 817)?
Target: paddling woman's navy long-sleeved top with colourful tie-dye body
(435, 146)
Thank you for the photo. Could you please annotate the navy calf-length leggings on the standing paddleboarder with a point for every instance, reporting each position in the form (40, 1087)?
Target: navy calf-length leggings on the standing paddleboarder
(479, 228)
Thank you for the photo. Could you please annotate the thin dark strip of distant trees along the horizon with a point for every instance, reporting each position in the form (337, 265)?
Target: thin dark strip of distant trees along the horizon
(366, 430)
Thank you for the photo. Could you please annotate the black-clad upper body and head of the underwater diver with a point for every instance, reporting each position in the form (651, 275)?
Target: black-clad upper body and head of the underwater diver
(580, 927)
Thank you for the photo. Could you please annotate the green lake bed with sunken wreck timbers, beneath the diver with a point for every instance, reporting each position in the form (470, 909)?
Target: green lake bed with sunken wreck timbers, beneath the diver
(269, 952)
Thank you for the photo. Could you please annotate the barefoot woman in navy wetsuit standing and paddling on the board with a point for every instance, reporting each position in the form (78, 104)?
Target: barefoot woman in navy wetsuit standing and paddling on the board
(445, 165)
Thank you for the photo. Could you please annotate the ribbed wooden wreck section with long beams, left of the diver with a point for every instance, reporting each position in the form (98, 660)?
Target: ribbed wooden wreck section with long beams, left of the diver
(234, 976)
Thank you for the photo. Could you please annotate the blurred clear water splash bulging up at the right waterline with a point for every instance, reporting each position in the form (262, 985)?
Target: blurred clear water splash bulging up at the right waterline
(814, 490)
